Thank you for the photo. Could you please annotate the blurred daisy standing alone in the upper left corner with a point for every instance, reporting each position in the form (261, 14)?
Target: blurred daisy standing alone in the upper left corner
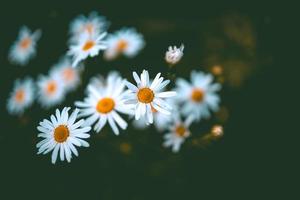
(24, 48)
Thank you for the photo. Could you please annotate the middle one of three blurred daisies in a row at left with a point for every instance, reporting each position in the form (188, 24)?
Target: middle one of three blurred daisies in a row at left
(50, 90)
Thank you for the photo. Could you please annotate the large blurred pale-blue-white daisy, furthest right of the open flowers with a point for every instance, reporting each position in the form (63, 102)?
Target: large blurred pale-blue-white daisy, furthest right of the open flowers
(198, 97)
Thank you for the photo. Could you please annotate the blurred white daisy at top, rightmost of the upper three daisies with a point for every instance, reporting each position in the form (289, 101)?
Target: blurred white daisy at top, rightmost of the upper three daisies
(125, 41)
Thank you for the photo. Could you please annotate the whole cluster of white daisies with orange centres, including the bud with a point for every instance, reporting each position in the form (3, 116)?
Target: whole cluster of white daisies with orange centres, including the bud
(112, 100)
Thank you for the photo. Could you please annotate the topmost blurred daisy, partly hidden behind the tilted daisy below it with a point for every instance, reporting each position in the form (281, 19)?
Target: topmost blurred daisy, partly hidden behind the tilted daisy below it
(93, 25)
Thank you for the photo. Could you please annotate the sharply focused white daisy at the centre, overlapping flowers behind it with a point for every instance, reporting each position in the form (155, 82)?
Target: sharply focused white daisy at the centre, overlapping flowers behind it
(146, 96)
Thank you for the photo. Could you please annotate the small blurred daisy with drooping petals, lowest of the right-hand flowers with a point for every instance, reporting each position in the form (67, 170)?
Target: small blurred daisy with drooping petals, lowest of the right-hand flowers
(178, 132)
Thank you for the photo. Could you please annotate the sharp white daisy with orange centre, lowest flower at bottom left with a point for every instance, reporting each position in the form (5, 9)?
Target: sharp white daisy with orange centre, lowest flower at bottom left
(61, 134)
